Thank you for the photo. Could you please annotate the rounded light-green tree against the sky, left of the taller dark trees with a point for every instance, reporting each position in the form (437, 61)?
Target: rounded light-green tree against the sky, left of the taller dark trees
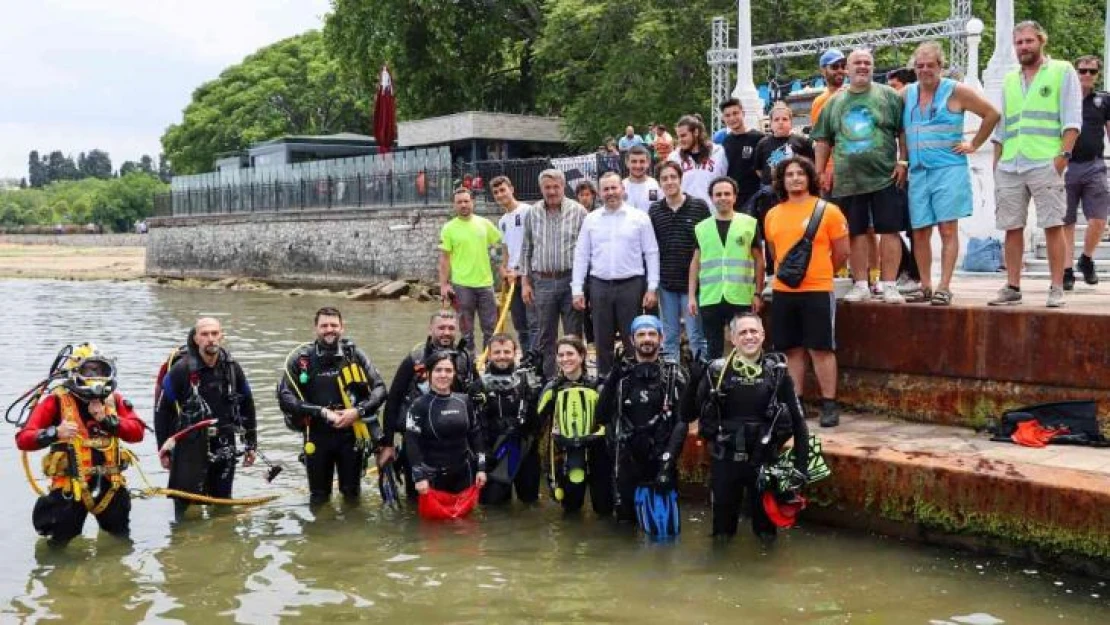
(289, 88)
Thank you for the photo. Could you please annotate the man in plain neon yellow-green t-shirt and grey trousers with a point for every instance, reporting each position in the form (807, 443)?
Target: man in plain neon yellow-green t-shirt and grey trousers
(466, 275)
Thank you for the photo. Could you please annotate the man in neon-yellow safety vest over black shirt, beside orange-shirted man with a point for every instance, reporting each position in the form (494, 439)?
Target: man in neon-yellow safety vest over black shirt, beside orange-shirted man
(726, 275)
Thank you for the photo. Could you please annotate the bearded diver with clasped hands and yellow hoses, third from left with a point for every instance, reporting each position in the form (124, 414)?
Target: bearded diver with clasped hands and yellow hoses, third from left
(331, 392)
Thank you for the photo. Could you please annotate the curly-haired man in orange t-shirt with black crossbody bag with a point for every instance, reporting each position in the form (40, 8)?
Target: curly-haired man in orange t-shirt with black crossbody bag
(804, 318)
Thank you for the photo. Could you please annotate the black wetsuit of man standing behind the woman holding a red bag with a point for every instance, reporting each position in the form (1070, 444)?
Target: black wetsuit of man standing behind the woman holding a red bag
(409, 384)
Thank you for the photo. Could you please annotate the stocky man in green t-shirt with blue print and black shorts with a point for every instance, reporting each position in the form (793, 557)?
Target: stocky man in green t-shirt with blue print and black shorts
(862, 127)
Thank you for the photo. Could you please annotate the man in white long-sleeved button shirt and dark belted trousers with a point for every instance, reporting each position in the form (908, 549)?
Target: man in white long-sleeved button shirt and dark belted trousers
(615, 245)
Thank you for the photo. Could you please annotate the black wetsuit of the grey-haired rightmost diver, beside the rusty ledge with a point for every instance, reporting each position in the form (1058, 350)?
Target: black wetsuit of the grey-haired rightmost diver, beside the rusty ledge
(735, 415)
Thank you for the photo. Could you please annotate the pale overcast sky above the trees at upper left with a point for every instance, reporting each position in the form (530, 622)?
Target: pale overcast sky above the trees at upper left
(80, 75)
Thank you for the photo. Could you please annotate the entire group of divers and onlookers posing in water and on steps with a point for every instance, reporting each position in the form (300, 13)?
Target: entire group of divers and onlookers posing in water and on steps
(632, 266)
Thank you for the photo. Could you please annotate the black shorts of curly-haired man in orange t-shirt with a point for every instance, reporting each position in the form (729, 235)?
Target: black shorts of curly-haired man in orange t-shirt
(804, 320)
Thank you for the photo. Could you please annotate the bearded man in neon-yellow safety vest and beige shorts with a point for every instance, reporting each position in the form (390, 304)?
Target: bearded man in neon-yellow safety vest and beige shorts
(1042, 117)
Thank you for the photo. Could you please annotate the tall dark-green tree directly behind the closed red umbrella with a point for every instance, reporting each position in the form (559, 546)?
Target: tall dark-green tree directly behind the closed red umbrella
(479, 52)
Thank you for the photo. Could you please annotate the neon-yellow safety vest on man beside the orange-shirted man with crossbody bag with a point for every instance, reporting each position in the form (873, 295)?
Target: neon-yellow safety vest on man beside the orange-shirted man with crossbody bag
(728, 273)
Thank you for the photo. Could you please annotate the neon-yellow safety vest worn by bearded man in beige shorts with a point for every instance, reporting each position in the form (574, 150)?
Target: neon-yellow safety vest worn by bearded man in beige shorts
(1033, 126)
